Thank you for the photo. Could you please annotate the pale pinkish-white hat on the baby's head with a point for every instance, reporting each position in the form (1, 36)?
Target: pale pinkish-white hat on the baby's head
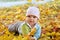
(33, 11)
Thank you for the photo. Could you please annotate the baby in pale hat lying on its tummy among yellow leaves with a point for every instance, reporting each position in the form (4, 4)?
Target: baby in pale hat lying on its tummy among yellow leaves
(31, 21)
